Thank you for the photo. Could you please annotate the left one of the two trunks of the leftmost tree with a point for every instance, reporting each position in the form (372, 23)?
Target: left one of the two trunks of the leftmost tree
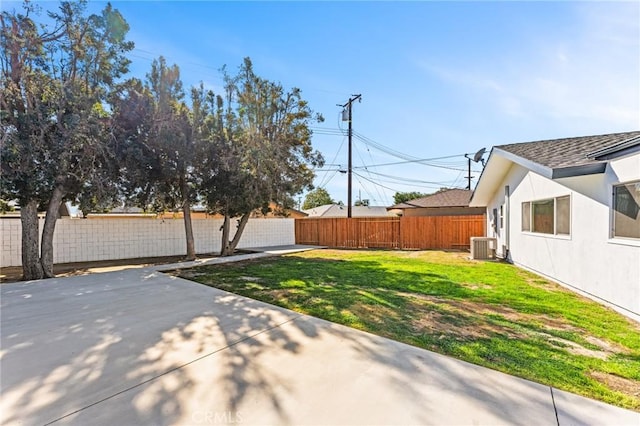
(31, 267)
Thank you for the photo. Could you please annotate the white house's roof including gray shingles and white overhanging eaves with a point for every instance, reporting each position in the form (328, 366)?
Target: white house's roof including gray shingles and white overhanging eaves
(554, 159)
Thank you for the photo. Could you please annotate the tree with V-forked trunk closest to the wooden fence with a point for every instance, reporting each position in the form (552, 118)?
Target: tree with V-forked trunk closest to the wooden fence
(257, 151)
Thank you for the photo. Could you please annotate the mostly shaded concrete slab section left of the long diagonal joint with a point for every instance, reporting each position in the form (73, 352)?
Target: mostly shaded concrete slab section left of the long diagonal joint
(70, 342)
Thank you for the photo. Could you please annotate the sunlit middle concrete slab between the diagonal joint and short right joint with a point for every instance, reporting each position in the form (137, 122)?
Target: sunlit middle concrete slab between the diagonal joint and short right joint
(310, 372)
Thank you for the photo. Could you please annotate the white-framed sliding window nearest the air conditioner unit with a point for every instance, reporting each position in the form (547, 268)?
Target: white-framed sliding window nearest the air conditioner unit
(549, 216)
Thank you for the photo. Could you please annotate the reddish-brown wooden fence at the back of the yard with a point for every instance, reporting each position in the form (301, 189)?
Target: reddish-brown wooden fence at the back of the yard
(426, 232)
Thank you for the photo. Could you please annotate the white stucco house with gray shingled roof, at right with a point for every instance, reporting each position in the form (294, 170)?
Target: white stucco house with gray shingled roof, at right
(569, 209)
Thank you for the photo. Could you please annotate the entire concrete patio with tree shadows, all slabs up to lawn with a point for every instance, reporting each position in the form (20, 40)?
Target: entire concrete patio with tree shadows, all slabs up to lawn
(141, 347)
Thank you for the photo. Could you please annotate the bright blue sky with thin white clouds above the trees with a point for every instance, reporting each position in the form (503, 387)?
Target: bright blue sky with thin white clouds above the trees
(438, 79)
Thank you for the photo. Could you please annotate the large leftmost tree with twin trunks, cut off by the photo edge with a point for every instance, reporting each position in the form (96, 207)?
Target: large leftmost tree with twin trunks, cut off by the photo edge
(55, 79)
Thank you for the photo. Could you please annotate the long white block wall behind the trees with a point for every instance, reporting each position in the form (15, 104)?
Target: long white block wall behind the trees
(83, 240)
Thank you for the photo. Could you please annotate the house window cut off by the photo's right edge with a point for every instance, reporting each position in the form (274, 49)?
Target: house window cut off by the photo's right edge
(626, 210)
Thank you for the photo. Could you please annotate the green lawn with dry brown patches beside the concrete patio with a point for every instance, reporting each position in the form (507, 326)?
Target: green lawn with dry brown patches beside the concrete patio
(487, 313)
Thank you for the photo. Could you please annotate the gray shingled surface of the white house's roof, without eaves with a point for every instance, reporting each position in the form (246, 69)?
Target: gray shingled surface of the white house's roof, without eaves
(569, 152)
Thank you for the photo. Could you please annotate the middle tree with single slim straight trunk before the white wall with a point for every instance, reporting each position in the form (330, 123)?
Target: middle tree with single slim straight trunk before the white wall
(153, 128)
